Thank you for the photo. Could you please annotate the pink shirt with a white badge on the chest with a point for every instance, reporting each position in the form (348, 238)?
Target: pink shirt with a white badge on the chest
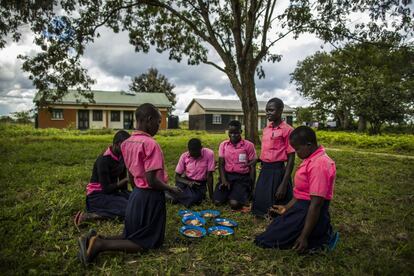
(237, 156)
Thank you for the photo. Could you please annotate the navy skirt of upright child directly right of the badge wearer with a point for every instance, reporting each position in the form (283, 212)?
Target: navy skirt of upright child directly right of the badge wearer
(270, 177)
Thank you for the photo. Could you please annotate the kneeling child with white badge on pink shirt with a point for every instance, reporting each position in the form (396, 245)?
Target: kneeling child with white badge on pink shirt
(237, 159)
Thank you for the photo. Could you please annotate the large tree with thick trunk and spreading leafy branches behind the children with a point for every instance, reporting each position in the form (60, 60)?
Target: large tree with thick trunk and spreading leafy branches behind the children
(235, 36)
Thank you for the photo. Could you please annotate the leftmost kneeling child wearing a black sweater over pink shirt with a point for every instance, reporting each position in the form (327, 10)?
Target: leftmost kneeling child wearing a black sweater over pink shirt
(107, 194)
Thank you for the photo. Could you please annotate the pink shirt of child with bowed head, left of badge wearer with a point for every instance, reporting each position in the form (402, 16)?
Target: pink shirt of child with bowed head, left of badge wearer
(196, 168)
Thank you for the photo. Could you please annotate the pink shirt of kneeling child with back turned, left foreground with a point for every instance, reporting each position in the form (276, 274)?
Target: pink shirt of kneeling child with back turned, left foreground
(143, 154)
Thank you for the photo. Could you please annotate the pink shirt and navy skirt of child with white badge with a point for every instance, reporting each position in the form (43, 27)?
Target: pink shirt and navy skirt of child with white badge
(237, 172)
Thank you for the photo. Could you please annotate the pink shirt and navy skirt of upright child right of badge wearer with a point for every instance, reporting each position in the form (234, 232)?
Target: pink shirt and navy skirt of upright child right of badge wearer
(274, 154)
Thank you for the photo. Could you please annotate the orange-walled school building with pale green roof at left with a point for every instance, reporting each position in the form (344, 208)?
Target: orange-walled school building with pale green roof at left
(111, 109)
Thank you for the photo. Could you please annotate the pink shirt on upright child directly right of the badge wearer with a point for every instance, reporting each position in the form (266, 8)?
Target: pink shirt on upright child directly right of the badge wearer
(275, 142)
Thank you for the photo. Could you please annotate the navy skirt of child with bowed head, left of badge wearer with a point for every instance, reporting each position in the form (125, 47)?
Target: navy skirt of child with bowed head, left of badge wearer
(191, 195)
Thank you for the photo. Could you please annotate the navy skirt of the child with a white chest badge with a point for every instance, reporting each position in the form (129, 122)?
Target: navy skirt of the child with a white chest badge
(239, 191)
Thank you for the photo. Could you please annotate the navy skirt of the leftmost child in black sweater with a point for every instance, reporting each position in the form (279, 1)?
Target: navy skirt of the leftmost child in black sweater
(108, 205)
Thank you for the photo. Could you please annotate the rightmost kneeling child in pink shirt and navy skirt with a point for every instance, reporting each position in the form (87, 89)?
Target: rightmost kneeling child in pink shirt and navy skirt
(304, 223)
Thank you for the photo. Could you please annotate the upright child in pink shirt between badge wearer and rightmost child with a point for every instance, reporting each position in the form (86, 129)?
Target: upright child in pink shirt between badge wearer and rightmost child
(274, 182)
